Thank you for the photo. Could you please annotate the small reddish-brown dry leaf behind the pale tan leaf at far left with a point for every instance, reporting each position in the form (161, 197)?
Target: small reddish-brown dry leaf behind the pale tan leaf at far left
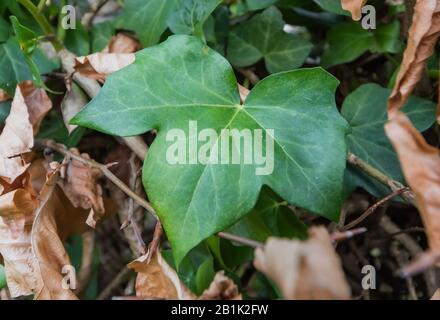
(37, 102)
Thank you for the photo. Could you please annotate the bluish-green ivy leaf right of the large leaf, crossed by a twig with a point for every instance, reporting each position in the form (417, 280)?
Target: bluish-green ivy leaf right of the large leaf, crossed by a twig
(365, 110)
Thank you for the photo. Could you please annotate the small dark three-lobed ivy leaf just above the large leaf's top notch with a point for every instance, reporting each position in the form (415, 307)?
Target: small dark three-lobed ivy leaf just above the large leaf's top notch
(262, 37)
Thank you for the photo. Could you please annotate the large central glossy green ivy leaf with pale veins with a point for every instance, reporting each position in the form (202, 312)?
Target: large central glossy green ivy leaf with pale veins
(182, 80)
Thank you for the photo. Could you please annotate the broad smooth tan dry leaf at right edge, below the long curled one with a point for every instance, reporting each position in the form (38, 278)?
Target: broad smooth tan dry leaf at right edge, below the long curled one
(421, 166)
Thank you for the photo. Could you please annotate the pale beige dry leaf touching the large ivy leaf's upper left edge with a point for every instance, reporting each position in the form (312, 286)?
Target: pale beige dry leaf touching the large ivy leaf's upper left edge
(99, 65)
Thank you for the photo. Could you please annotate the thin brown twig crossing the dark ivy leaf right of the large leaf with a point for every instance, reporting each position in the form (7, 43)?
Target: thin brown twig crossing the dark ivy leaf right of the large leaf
(394, 185)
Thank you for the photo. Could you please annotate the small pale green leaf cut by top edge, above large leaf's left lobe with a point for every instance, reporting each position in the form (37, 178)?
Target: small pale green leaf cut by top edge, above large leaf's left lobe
(190, 17)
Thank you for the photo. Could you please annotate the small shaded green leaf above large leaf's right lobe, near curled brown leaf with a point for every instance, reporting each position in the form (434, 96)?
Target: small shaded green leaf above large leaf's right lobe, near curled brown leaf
(348, 41)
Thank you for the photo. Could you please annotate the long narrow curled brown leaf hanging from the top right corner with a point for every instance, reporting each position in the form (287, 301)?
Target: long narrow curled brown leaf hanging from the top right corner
(422, 37)
